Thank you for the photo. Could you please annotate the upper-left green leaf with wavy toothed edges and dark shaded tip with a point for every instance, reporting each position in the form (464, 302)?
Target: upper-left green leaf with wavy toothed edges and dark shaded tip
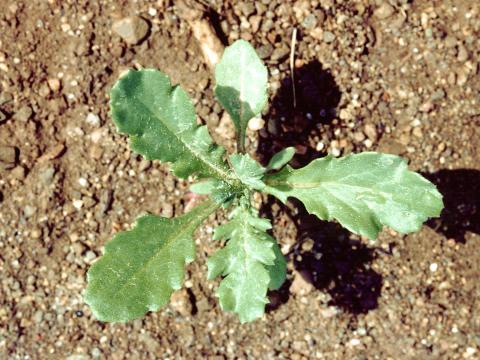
(161, 122)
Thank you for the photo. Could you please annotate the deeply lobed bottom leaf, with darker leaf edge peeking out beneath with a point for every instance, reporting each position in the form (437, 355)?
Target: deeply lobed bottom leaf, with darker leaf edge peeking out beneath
(251, 263)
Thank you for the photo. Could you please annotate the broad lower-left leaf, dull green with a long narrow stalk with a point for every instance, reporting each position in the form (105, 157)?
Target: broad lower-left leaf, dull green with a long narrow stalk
(142, 267)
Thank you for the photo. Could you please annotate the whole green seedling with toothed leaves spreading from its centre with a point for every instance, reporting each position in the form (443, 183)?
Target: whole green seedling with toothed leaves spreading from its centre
(142, 267)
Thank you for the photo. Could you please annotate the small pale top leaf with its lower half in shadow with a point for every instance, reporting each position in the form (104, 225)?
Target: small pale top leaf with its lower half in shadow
(241, 85)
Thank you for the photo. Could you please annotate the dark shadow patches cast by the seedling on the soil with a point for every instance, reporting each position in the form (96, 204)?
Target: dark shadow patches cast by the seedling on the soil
(337, 263)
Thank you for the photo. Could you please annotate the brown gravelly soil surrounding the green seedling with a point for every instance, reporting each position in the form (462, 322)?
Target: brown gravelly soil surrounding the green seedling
(396, 76)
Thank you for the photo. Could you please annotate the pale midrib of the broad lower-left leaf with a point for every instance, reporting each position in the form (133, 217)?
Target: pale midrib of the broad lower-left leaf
(200, 213)
